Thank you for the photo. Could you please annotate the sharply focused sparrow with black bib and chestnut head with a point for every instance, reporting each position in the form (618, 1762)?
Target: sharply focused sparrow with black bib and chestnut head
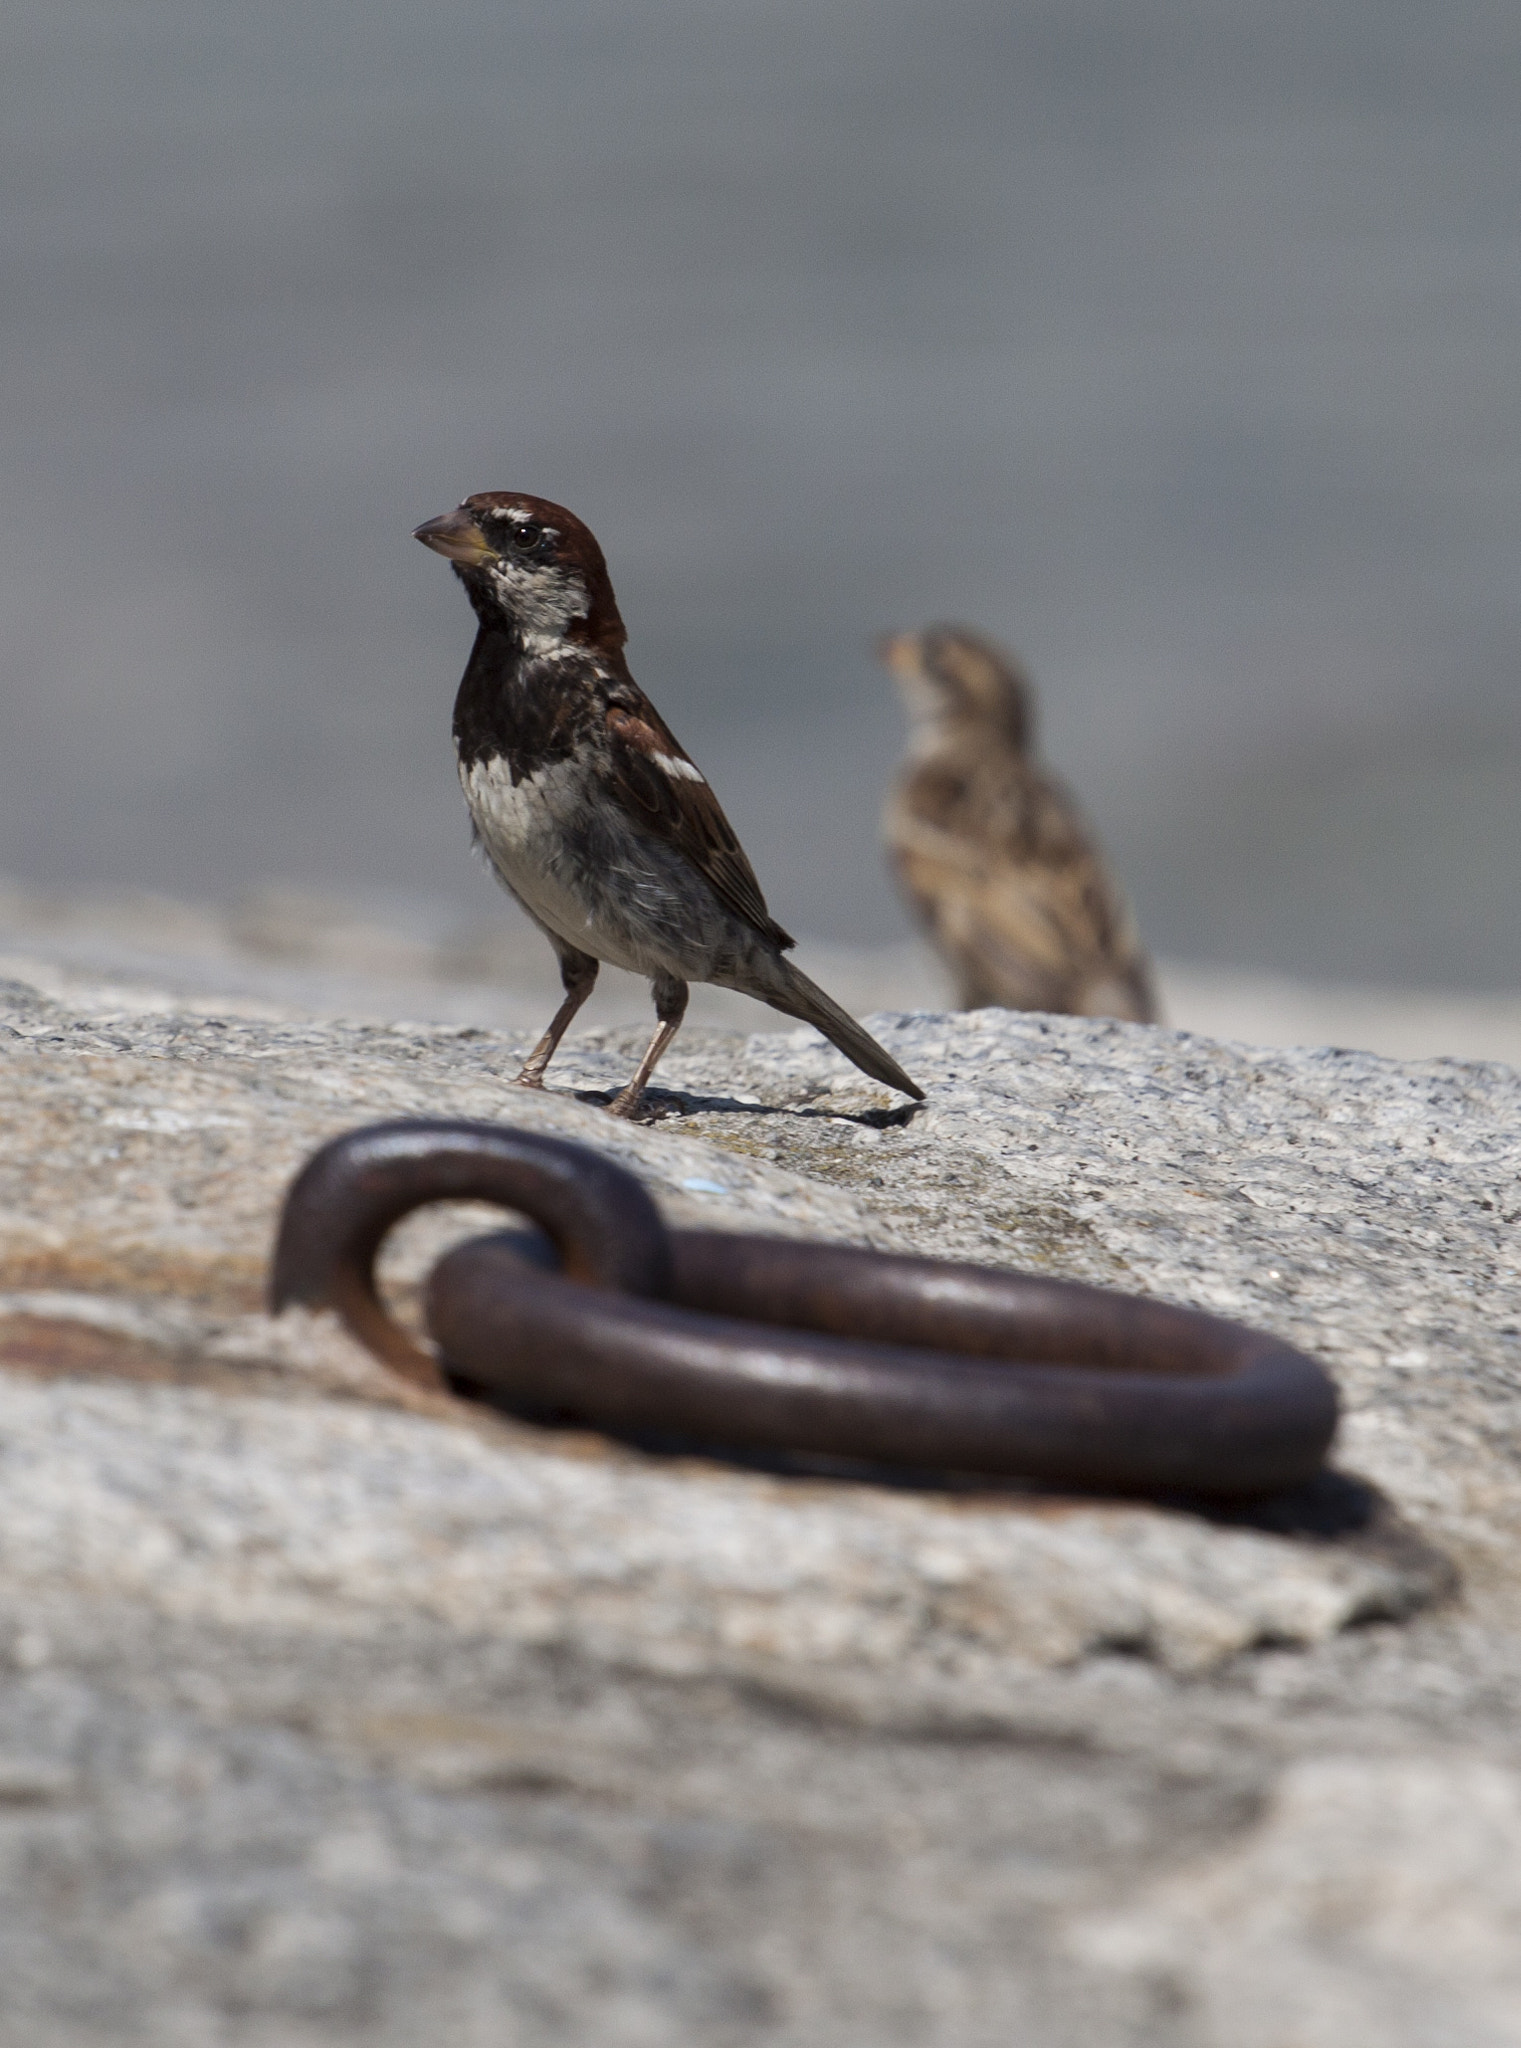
(584, 804)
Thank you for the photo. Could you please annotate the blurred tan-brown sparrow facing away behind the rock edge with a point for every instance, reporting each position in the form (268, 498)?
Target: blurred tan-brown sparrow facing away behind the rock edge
(992, 853)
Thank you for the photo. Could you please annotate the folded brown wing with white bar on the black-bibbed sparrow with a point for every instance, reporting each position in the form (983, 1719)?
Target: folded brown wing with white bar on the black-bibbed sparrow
(658, 783)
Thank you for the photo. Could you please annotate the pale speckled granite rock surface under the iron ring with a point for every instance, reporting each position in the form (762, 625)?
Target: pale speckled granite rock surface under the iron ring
(337, 1713)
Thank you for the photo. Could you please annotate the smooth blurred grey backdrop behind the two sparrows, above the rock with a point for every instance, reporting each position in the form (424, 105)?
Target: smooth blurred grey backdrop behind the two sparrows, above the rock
(1178, 345)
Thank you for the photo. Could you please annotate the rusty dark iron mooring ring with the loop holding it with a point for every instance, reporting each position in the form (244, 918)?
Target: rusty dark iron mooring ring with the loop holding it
(783, 1347)
